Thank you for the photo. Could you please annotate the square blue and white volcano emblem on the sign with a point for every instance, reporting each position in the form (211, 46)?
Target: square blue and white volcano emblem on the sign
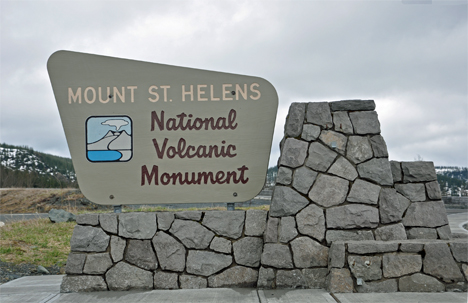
(109, 139)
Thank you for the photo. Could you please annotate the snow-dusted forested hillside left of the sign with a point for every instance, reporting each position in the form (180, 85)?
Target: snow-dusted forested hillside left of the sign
(21, 166)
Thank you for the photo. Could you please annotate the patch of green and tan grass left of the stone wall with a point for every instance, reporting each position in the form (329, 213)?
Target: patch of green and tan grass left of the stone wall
(36, 241)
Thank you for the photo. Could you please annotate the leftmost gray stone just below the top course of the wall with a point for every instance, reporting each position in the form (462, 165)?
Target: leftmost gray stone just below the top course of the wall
(89, 239)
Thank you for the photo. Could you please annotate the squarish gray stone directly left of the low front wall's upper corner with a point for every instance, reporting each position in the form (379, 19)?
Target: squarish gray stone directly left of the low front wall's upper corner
(309, 253)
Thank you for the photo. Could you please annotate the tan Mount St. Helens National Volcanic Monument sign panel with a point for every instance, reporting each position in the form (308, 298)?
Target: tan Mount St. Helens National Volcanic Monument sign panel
(147, 133)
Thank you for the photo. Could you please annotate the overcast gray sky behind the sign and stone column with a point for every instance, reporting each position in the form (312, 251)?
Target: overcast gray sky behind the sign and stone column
(410, 58)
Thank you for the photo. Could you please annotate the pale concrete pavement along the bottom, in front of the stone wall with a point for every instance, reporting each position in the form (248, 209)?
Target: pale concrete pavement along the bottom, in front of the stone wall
(45, 289)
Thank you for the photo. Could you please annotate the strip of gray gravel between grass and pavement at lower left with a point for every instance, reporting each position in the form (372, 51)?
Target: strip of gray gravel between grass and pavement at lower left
(10, 271)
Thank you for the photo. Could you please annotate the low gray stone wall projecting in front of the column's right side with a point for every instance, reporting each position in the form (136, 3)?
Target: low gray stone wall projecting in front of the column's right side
(406, 265)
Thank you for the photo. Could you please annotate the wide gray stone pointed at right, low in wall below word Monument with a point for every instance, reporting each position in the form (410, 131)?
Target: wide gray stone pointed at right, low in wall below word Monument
(206, 263)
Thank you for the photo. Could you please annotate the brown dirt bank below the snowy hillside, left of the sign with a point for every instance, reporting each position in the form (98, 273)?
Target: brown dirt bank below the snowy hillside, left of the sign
(41, 200)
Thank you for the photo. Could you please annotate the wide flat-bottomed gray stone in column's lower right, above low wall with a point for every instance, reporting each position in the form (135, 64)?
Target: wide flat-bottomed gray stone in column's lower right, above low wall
(352, 216)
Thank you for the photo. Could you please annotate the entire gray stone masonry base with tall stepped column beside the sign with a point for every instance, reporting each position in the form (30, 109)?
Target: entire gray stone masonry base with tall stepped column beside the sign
(335, 185)
